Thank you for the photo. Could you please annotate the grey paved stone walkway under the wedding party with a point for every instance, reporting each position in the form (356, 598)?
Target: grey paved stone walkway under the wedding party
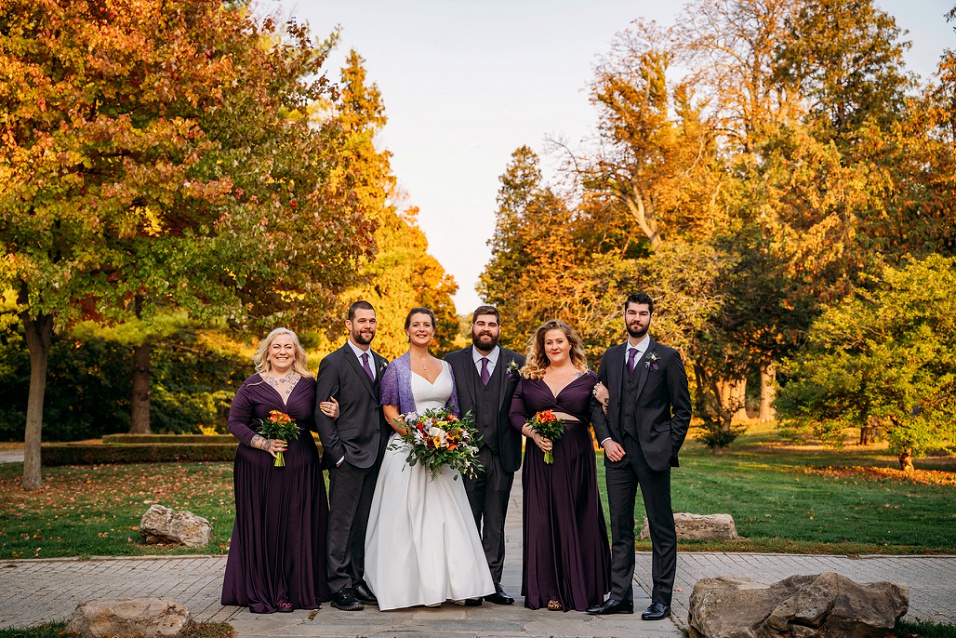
(36, 591)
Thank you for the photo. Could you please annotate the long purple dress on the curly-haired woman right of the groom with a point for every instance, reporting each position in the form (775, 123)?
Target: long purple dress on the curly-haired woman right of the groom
(566, 553)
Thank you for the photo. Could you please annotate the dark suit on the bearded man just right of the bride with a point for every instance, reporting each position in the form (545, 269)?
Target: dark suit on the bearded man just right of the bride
(499, 451)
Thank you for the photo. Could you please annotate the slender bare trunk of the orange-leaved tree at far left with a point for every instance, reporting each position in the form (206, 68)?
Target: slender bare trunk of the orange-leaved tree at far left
(38, 331)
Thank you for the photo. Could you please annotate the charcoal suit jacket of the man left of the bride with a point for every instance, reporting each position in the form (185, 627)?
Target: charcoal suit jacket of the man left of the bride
(360, 433)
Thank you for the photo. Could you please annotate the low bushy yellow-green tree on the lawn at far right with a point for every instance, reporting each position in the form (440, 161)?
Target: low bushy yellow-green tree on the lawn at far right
(885, 357)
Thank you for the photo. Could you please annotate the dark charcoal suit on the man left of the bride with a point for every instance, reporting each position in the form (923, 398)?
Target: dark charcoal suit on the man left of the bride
(359, 435)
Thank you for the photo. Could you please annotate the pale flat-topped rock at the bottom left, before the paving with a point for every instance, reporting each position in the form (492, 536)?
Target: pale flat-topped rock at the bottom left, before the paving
(132, 617)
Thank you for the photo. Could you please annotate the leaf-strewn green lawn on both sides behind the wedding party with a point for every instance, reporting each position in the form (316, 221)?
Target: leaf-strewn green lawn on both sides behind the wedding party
(783, 499)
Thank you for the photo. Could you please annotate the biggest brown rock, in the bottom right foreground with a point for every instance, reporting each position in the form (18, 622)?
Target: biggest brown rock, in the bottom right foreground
(827, 605)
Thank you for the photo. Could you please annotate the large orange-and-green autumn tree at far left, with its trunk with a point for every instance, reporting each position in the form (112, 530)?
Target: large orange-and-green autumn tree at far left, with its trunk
(164, 154)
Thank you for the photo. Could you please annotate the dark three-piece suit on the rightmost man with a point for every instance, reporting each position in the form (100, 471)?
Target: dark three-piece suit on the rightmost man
(648, 414)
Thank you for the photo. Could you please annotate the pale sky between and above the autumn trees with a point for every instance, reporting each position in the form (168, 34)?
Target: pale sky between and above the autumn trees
(466, 82)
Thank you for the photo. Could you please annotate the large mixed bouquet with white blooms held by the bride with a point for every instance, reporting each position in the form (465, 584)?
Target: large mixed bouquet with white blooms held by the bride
(437, 437)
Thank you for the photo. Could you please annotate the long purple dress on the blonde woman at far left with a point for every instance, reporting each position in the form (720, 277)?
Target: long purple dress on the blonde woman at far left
(278, 548)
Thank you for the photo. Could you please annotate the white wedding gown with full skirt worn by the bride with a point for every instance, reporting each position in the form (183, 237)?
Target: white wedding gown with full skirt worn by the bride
(422, 546)
